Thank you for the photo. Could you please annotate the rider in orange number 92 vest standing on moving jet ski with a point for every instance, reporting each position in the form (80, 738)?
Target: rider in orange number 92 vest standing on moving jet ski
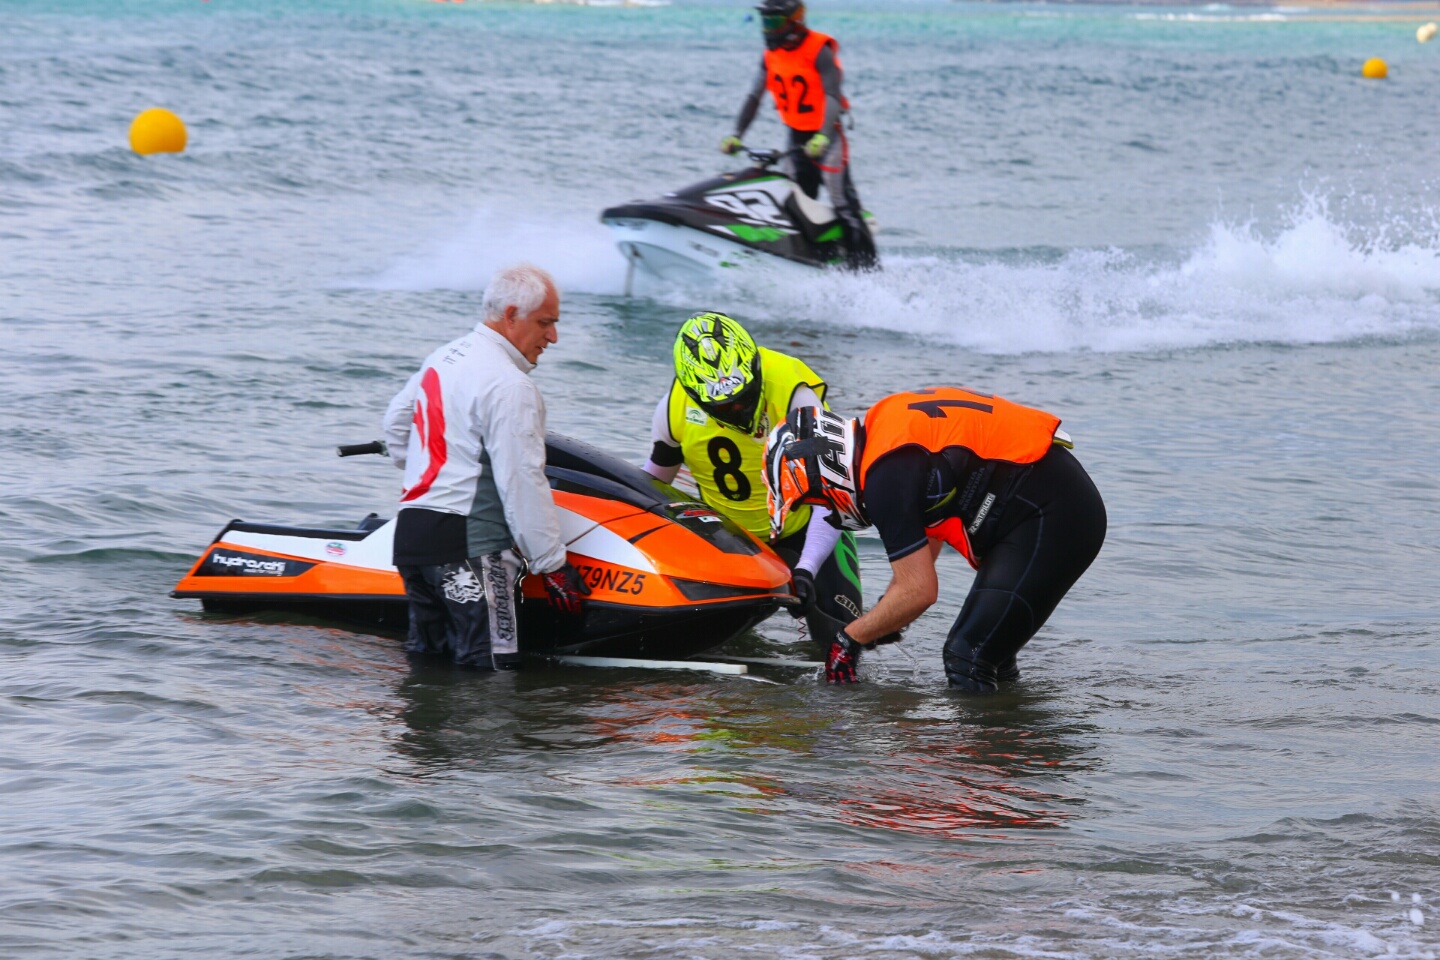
(801, 68)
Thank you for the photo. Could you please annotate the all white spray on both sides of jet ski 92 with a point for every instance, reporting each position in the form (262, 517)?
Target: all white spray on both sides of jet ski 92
(1313, 280)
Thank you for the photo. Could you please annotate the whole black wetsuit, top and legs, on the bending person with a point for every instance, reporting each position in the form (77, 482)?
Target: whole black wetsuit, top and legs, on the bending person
(1039, 535)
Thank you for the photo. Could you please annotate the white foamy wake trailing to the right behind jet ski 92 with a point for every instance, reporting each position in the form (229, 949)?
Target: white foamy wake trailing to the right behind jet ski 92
(1314, 281)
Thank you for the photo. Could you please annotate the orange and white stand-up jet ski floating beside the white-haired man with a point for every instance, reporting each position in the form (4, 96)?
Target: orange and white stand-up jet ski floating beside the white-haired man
(669, 576)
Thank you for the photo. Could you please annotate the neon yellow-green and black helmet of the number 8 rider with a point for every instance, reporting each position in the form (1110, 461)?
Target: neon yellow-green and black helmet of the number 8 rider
(719, 366)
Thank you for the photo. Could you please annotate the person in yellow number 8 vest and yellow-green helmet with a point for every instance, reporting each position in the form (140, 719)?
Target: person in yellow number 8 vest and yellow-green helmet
(726, 397)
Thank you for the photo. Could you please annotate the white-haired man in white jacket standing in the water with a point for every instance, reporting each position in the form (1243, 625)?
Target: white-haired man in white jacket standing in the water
(469, 431)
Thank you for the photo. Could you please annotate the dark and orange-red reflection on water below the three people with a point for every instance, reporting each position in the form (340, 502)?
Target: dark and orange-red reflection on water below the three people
(894, 759)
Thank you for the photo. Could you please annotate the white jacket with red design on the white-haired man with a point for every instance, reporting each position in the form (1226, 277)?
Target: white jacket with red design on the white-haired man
(469, 431)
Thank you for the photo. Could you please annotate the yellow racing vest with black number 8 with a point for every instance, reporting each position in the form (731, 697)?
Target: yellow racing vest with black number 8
(728, 463)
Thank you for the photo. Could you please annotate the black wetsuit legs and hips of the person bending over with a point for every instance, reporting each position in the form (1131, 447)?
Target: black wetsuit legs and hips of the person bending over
(1050, 532)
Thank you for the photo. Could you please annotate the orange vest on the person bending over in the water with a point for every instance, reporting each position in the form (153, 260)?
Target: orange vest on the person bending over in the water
(940, 418)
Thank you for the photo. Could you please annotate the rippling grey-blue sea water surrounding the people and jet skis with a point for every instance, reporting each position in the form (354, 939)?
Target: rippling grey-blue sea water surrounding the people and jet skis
(1196, 234)
